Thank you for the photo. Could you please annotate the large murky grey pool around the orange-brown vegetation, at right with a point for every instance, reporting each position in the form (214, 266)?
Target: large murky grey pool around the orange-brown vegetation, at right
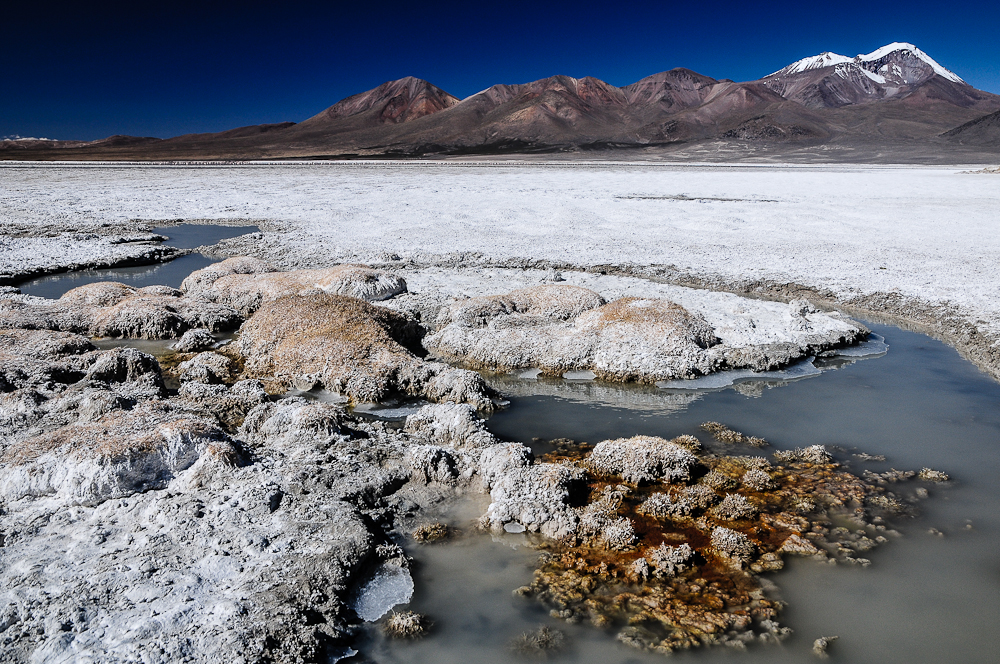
(925, 598)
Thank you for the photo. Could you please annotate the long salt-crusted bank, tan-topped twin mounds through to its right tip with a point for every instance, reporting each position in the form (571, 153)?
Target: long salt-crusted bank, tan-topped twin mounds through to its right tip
(560, 328)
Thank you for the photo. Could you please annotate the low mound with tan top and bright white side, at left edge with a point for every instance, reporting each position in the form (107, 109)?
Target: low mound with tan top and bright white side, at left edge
(122, 453)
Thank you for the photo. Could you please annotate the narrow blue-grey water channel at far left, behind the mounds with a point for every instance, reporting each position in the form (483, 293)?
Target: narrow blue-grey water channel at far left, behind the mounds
(171, 273)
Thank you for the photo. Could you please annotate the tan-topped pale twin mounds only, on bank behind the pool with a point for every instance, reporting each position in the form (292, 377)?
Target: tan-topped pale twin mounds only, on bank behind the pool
(559, 328)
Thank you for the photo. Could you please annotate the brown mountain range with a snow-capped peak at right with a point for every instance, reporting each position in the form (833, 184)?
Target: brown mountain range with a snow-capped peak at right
(896, 97)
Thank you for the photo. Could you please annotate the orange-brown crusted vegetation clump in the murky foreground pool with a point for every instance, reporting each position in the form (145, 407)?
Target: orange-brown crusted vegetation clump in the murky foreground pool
(689, 576)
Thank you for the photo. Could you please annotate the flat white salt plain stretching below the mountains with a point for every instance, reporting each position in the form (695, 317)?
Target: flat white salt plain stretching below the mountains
(926, 235)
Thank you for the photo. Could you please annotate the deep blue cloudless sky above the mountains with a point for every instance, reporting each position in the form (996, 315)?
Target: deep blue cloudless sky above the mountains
(90, 70)
